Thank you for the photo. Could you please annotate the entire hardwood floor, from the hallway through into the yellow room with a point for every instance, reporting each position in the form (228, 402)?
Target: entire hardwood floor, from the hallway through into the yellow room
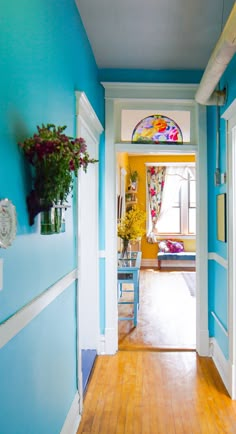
(158, 392)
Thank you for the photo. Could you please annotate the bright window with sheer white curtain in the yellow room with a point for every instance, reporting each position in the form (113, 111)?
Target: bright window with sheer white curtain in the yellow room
(177, 214)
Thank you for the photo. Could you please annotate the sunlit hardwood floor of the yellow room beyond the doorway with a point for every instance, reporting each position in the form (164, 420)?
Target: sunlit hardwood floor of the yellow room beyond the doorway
(166, 317)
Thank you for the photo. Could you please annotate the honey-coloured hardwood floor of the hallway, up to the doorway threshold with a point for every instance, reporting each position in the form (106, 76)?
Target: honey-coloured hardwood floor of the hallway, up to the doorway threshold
(136, 392)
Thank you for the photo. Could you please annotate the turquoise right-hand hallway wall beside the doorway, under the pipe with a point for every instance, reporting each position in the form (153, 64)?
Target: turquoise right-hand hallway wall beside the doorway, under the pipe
(218, 277)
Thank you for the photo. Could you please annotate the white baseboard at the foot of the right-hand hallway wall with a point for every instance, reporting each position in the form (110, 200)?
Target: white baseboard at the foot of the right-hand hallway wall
(222, 364)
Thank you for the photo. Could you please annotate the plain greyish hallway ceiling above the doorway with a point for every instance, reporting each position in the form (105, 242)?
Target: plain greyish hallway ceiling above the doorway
(153, 34)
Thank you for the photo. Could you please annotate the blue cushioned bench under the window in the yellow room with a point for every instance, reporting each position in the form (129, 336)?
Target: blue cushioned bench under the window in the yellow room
(182, 259)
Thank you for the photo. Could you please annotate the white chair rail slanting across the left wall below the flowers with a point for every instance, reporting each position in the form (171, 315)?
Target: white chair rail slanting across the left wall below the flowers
(24, 316)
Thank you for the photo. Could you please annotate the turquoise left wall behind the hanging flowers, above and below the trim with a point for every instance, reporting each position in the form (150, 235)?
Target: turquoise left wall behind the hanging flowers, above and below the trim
(45, 57)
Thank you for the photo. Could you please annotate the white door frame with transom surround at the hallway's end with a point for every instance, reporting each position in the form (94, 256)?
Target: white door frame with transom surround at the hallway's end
(144, 95)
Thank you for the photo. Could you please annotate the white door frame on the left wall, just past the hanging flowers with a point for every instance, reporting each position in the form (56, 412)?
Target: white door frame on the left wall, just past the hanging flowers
(88, 332)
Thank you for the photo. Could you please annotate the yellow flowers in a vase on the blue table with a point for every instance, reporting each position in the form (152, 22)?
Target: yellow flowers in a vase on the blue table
(130, 227)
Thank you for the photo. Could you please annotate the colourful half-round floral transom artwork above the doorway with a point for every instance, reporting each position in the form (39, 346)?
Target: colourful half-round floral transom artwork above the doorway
(157, 129)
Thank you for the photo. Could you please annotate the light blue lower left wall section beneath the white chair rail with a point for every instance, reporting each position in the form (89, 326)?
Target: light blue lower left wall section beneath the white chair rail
(37, 371)
